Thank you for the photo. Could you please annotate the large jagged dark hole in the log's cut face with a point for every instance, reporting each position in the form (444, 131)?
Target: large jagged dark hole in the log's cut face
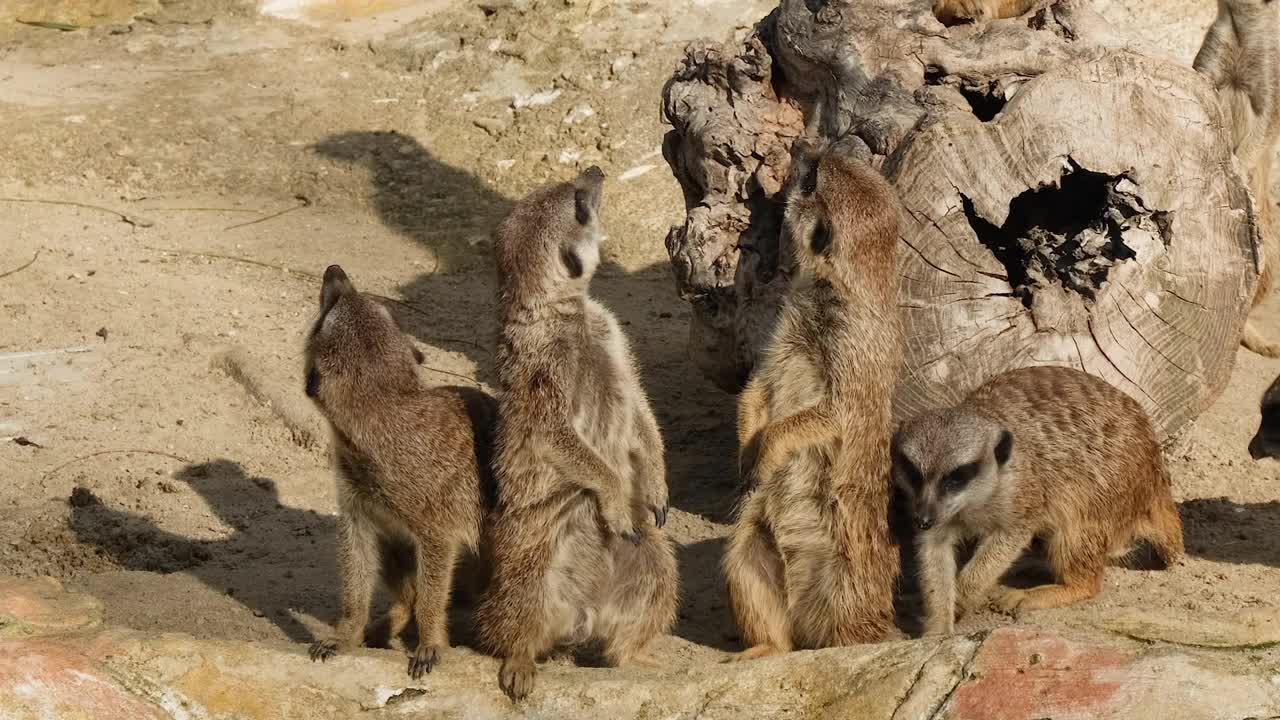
(1068, 235)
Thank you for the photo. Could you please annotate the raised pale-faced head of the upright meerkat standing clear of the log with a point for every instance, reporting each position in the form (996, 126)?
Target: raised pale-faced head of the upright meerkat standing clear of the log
(548, 247)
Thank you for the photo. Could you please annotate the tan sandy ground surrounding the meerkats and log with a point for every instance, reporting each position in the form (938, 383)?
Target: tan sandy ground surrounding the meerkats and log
(223, 160)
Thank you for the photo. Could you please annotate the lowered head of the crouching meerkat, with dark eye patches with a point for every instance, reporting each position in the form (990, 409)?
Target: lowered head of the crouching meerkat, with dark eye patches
(948, 462)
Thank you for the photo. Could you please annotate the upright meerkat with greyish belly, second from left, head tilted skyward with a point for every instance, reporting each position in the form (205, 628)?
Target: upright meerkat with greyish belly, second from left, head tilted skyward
(578, 549)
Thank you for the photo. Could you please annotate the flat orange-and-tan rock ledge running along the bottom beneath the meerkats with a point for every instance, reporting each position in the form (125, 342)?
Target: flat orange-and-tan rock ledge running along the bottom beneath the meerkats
(1009, 675)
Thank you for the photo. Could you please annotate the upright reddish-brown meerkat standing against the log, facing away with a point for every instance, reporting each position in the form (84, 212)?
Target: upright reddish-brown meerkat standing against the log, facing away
(811, 562)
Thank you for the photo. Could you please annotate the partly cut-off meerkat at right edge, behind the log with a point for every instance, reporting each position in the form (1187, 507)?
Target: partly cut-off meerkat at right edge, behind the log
(1241, 56)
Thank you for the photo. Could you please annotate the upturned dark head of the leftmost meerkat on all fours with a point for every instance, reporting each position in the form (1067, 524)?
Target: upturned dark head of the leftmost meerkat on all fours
(355, 348)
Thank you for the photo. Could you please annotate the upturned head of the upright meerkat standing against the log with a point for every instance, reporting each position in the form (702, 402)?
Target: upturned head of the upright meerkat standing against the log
(839, 209)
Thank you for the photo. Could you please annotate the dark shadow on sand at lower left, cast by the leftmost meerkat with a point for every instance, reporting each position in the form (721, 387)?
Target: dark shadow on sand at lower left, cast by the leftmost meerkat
(277, 563)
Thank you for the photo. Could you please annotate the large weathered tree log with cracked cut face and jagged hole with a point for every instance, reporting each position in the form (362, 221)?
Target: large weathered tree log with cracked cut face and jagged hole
(1066, 200)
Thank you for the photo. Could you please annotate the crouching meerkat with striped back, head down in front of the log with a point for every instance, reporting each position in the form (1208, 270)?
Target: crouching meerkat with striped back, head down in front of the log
(1045, 452)
